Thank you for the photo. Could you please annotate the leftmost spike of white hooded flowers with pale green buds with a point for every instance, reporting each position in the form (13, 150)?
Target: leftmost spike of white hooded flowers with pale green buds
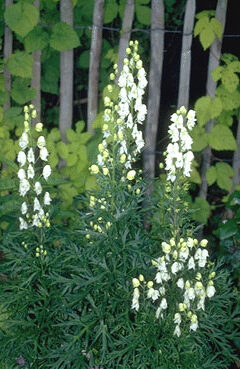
(32, 152)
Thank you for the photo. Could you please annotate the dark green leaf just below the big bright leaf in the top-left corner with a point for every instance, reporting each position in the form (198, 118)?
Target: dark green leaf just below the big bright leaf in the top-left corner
(37, 39)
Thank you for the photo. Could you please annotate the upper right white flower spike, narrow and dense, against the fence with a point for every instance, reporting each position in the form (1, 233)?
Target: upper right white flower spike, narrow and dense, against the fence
(178, 154)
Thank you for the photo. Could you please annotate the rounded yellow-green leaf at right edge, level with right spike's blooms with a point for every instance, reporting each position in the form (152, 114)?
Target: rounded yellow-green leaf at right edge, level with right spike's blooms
(221, 138)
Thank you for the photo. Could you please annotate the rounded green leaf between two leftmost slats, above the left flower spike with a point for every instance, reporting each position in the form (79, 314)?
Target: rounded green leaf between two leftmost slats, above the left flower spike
(20, 64)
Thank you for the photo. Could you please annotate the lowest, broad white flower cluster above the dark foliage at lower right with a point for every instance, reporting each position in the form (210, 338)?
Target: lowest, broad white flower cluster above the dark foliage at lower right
(180, 277)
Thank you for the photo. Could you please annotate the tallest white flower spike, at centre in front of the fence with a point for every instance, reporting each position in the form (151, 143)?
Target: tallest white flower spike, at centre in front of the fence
(122, 141)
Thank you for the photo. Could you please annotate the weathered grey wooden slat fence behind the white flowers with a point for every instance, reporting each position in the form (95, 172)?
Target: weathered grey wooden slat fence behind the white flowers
(157, 35)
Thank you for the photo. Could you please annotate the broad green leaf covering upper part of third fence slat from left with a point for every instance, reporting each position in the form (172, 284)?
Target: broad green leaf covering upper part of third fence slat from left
(63, 37)
